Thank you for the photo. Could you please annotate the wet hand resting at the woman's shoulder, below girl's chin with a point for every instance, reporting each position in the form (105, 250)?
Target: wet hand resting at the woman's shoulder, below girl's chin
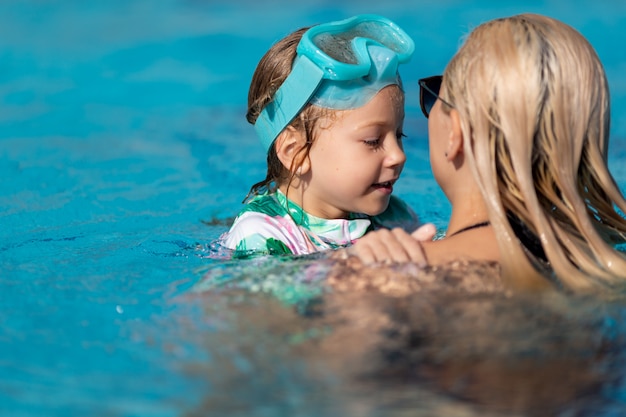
(394, 245)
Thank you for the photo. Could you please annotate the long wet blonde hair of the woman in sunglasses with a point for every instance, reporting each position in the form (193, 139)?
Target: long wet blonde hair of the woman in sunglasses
(533, 98)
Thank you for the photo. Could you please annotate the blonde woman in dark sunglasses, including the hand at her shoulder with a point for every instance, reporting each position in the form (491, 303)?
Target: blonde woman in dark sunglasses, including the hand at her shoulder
(519, 131)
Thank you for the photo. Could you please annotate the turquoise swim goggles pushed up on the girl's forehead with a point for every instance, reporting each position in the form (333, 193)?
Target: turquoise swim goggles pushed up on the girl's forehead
(339, 65)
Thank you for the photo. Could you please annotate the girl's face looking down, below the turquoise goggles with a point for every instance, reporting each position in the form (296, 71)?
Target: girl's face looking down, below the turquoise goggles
(356, 158)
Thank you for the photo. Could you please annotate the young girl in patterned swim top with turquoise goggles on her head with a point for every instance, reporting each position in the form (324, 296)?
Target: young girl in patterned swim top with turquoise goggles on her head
(328, 106)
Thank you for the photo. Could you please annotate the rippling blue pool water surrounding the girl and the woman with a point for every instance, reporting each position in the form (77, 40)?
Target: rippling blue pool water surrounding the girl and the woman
(124, 153)
